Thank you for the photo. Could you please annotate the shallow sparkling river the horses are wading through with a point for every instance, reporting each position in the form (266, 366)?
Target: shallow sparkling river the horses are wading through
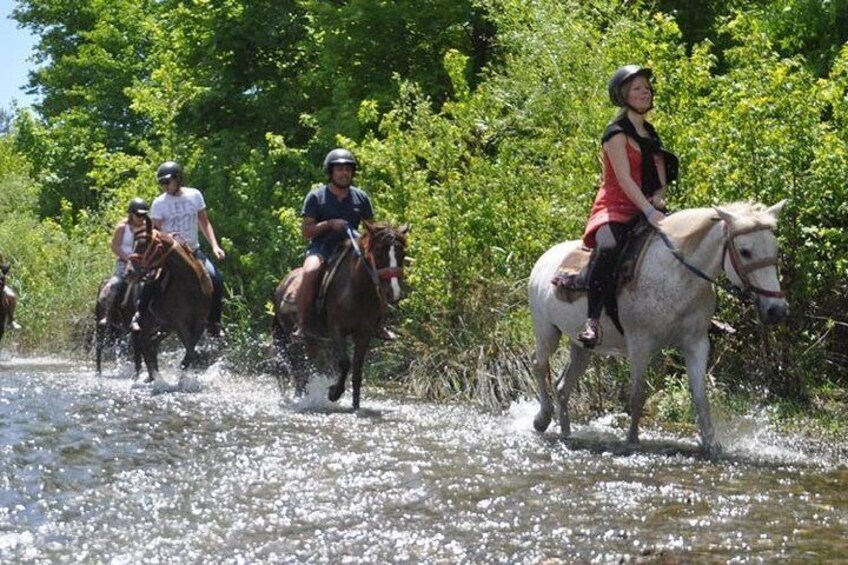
(231, 471)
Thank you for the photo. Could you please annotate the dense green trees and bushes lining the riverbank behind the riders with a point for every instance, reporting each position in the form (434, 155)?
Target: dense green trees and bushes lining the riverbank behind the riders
(476, 122)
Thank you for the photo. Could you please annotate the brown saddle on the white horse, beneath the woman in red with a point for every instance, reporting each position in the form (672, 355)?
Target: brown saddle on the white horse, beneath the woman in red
(571, 279)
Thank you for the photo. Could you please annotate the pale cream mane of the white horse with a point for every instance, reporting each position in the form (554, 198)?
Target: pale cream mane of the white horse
(689, 227)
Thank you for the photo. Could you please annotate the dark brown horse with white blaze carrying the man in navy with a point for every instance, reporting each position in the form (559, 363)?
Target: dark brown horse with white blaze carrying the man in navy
(361, 285)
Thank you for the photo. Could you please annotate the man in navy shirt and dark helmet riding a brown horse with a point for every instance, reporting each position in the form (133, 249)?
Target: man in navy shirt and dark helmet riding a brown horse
(327, 212)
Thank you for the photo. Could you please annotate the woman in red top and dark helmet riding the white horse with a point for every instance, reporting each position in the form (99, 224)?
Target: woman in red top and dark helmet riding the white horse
(634, 181)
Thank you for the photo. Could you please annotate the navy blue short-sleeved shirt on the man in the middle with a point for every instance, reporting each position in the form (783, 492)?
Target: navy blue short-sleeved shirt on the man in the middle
(321, 204)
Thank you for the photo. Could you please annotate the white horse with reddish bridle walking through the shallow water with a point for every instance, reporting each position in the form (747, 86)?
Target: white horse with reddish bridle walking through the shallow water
(668, 306)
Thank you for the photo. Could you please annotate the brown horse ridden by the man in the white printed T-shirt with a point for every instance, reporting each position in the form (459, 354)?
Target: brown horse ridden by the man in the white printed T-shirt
(180, 302)
